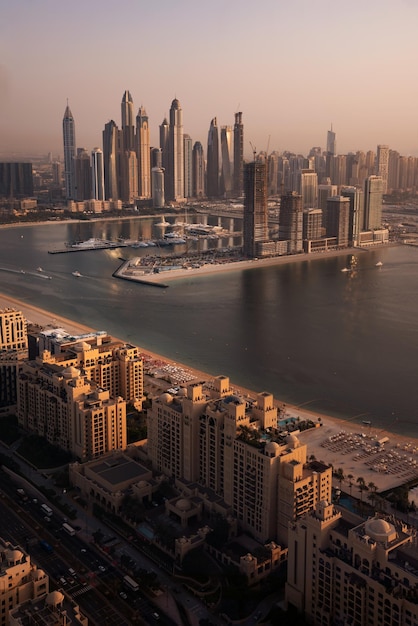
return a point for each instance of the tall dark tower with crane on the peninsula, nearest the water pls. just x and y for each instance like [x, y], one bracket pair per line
[255, 224]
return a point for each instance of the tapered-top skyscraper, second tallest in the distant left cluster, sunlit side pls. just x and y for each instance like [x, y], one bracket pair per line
[175, 165]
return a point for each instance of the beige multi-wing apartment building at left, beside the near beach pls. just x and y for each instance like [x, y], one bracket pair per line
[75, 392]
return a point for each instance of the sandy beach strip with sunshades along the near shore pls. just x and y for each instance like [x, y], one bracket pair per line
[378, 456]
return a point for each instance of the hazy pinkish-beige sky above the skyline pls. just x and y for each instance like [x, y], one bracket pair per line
[292, 67]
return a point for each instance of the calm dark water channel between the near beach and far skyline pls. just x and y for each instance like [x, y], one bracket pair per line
[345, 344]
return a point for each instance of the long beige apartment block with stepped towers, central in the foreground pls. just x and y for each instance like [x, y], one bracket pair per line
[231, 446]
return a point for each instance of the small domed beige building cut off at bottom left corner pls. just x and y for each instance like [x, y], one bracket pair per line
[20, 579]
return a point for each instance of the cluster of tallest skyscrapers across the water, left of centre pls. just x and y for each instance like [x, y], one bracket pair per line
[128, 168]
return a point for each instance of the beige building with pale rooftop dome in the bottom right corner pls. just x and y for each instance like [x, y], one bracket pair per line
[344, 570]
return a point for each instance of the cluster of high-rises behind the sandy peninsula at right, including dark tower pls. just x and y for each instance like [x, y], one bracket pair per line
[320, 209]
